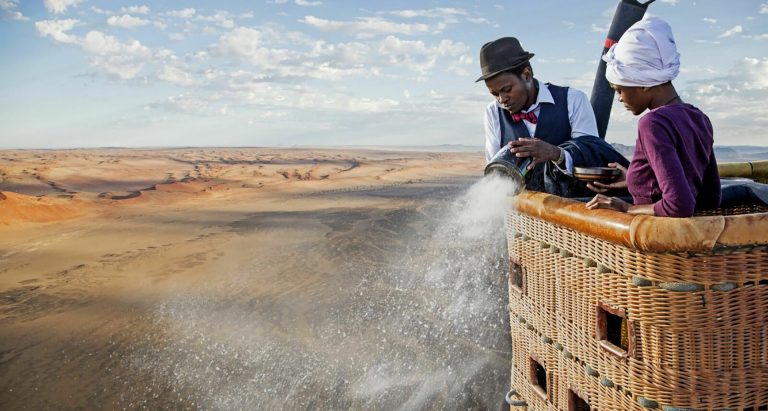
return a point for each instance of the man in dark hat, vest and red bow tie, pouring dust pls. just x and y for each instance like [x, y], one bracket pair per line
[560, 119]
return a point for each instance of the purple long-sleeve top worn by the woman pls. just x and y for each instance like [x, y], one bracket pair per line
[674, 165]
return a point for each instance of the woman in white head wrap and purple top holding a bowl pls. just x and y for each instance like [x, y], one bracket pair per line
[673, 170]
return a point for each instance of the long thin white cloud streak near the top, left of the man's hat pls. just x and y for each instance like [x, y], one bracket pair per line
[366, 26]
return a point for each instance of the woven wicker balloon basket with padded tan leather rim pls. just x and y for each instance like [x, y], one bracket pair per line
[637, 312]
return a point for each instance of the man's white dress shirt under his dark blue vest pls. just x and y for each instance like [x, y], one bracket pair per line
[580, 115]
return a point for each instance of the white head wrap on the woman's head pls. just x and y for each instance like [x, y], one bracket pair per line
[645, 56]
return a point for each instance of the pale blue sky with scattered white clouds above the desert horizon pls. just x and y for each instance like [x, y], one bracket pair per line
[89, 73]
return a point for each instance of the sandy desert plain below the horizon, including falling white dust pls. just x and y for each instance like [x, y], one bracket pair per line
[248, 278]
